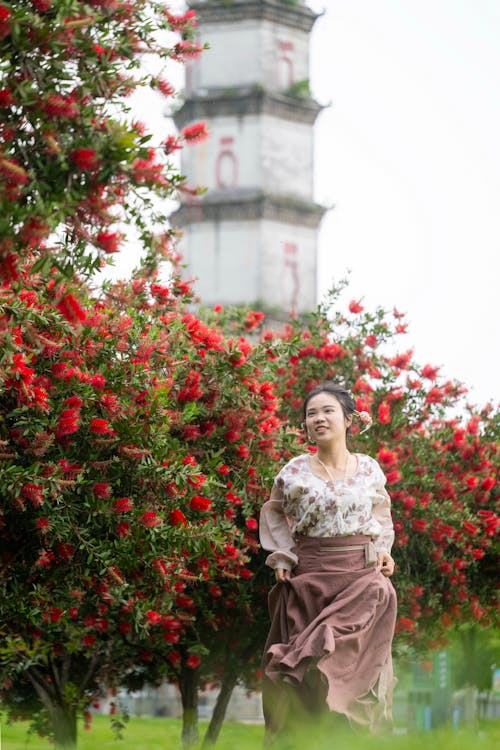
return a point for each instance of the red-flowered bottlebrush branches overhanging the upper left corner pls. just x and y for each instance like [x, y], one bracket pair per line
[73, 169]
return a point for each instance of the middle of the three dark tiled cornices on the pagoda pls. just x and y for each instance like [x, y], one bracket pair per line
[246, 101]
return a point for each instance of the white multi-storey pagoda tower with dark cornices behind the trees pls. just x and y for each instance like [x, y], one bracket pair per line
[251, 238]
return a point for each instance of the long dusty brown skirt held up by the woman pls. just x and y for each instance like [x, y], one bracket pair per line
[332, 624]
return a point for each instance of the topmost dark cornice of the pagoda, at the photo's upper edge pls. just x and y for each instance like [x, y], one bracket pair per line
[233, 11]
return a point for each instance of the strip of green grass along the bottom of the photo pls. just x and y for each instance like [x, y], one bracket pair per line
[164, 734]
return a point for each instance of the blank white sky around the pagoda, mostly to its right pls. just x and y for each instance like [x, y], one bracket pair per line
[408, 154]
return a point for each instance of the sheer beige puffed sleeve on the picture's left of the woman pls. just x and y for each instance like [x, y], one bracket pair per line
[274, 531]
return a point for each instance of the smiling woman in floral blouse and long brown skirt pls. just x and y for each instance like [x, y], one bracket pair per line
[328, 527]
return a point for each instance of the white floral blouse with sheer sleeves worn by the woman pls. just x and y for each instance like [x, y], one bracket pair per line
[302, 502]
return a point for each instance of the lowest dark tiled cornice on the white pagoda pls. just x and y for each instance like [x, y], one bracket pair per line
[248, 205]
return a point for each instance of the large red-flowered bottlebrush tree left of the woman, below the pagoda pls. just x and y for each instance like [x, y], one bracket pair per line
[126, 444]
